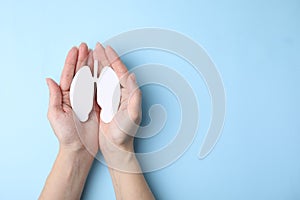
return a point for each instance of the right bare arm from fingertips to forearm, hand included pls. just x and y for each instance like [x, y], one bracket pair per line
[116, 144]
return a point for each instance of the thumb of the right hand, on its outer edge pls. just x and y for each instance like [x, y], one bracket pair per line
[135, 98]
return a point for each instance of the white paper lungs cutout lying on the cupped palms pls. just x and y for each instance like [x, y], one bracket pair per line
[82, 93]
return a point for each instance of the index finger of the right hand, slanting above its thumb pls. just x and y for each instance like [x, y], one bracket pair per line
[117, 65]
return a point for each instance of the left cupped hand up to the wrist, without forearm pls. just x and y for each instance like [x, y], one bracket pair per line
[71, 133]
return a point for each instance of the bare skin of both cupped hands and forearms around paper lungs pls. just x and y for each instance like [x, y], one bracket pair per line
[78, 146]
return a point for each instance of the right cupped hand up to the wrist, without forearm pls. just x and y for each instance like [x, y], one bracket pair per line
[118, 135]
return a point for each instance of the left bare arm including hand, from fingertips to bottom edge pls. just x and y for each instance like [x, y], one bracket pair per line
[69, 172]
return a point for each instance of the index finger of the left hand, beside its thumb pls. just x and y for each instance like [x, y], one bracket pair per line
[69, 69]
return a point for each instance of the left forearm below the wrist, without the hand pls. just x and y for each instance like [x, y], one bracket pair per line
[67, 177]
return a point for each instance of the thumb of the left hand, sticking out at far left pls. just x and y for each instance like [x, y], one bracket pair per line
[55, 100]
